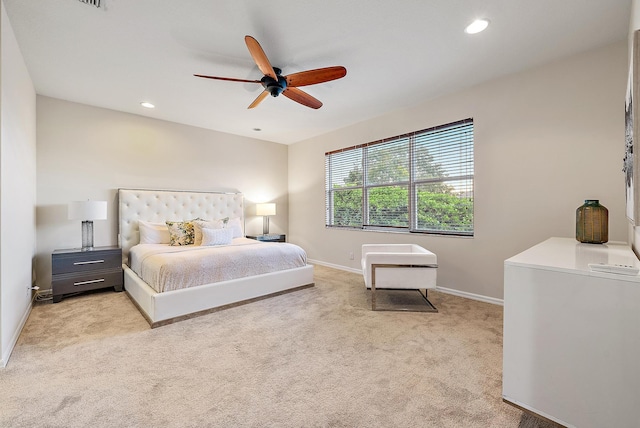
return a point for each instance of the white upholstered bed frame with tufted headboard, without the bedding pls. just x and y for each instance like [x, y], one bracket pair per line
[171, 306]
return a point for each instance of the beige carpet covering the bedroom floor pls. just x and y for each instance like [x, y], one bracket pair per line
[318, 357]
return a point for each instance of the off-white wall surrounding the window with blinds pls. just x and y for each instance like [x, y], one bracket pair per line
[545, 140]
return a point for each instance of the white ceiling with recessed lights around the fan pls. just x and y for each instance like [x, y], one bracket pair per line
[397, 53]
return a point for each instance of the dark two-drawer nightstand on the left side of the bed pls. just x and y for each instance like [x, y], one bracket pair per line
[77, 270]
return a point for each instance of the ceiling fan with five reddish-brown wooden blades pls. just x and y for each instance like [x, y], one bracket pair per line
[275, 83]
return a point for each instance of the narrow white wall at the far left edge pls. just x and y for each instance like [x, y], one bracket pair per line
[17, 188]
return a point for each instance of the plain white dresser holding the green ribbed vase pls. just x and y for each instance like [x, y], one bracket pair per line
[572, 336]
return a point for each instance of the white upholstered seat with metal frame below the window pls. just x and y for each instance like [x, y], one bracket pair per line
[399, 267]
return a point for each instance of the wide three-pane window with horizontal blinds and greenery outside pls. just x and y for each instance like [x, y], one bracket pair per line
[417, 182]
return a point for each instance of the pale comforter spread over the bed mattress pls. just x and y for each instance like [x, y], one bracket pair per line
[167, 268]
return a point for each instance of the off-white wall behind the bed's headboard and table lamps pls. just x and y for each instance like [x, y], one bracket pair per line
[86, 152]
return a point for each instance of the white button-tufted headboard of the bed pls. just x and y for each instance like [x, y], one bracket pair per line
[159, 206]
